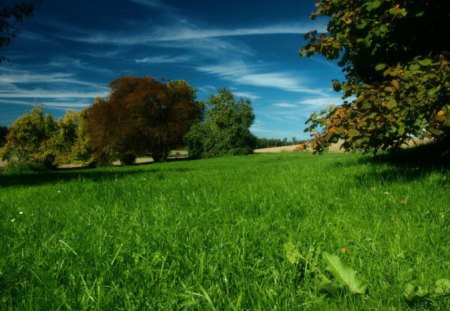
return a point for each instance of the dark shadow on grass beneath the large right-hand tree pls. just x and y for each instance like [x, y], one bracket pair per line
[407, 164]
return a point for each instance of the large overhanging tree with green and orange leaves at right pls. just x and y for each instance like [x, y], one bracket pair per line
[397, 72]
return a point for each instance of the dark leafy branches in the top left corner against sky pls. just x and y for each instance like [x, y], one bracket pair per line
[10, 16]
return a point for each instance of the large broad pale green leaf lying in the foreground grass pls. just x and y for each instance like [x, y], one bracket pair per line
[344, 274]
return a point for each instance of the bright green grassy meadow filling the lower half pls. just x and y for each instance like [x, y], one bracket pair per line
[213, 234]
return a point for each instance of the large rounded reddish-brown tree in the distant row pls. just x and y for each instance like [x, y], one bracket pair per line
[142, 115]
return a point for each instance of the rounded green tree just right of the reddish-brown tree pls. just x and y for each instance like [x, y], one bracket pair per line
[225, 129]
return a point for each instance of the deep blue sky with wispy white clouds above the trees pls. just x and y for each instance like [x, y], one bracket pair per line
[69, 51]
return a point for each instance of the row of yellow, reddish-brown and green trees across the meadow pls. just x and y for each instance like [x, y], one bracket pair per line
[141, 116]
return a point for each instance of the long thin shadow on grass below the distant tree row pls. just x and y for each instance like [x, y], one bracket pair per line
[69, 174]
